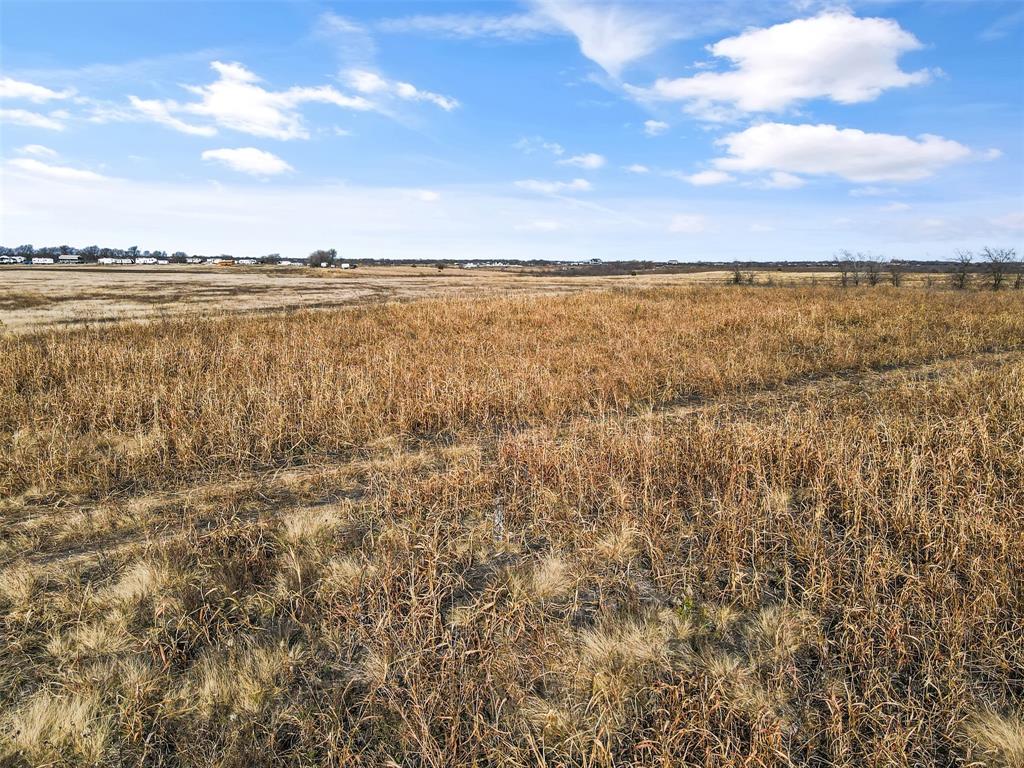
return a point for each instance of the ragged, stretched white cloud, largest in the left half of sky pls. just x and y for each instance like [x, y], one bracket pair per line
[237, 101]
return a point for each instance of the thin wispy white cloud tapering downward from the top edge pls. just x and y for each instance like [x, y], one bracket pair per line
[611, 35]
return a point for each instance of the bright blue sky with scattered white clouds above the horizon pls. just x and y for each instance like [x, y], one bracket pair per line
[551, 130]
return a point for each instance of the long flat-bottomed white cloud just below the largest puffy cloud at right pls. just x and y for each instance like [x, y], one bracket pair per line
[848, 153]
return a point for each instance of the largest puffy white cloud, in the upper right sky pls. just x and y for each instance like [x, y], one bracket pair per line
[835, 56]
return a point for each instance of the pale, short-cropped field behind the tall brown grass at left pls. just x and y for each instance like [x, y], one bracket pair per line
[37, 297]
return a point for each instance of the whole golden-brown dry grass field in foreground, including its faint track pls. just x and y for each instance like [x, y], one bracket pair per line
[637, 527]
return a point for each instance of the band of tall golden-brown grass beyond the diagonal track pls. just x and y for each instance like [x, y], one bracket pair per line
[116, 409]
